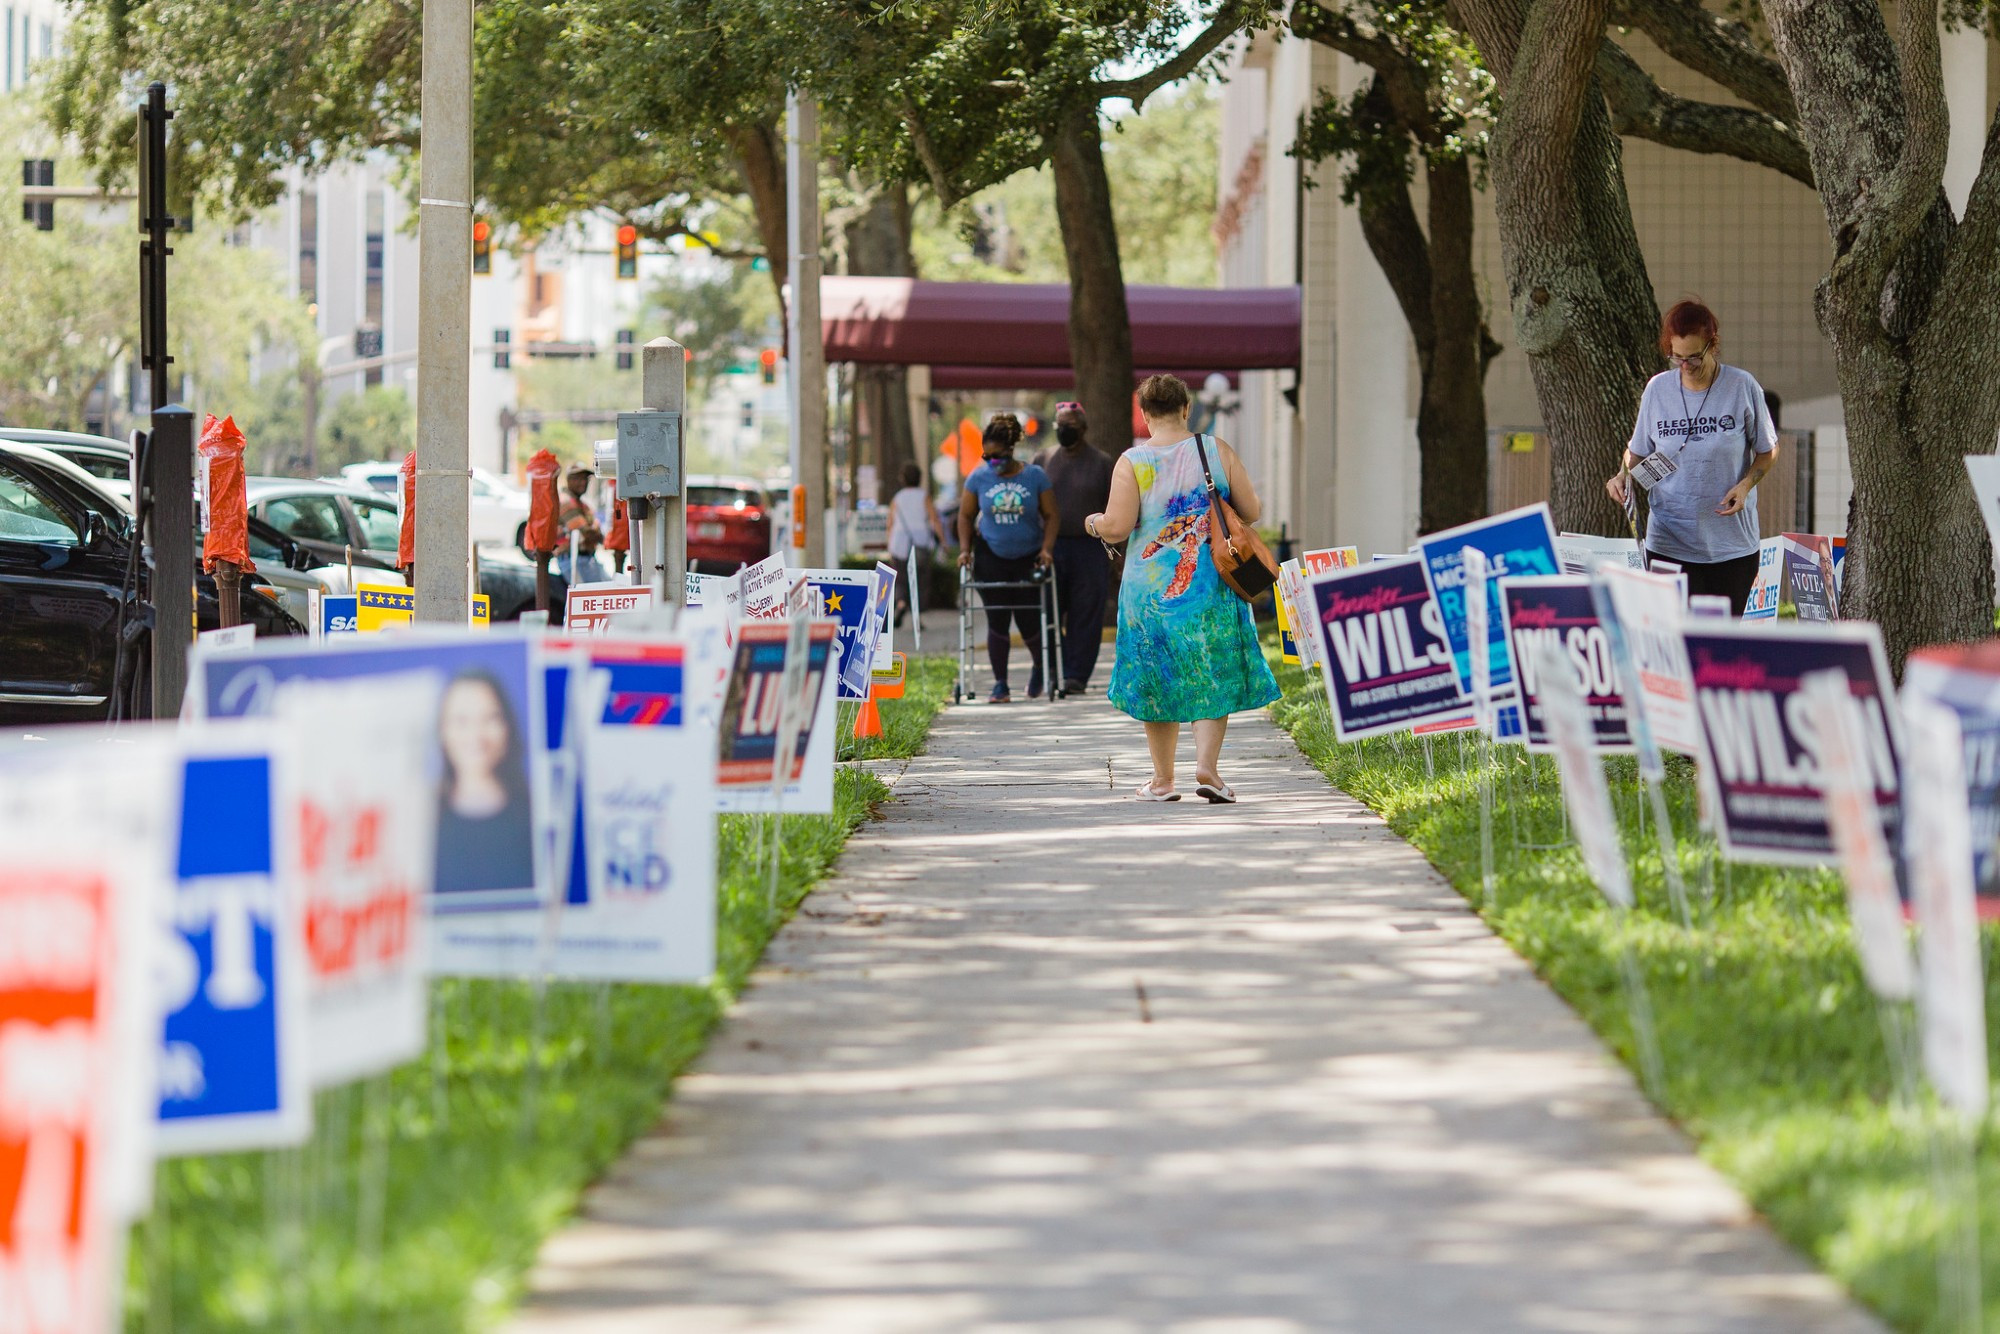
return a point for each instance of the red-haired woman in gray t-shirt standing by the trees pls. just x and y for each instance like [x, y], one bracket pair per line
[1699, 449]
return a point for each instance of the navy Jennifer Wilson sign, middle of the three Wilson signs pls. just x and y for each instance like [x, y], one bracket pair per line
[1561, 613]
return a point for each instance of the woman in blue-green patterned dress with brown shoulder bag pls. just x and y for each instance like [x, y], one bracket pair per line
[1187, 645]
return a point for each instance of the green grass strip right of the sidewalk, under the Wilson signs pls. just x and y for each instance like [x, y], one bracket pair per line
[1773, 1047]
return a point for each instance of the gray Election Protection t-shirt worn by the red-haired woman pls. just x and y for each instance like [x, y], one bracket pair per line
[1709, 435]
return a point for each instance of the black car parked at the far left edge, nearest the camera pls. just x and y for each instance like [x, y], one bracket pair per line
[65, 547]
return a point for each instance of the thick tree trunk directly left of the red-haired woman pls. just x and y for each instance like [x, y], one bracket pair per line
[1577, 281]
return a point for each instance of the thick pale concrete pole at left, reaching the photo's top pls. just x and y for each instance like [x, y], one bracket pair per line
[445, 319]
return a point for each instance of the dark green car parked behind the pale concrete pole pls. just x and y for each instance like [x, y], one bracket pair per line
[337, 523]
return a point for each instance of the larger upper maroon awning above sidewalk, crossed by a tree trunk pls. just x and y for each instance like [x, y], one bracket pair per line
[917, 323]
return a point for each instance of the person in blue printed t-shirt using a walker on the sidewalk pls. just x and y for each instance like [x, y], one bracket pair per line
[1007, 527]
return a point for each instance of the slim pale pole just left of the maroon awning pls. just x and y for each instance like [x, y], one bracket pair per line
[807, 369]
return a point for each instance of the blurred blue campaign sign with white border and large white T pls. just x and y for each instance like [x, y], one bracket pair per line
[233, 967]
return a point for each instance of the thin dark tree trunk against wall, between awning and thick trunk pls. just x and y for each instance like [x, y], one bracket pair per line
[1451, 415]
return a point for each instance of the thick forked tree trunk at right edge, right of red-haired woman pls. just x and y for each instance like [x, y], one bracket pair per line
[1911, 309]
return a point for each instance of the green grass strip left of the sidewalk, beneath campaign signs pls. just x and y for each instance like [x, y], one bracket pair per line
[425, 1195]
